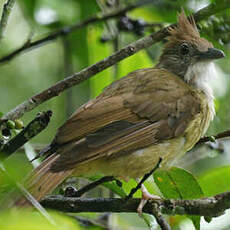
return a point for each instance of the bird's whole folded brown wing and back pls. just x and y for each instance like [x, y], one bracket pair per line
[144, 108]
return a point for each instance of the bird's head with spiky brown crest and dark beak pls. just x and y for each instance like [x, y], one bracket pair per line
[187, 54]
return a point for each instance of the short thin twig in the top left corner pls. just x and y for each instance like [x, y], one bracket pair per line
[7, 8]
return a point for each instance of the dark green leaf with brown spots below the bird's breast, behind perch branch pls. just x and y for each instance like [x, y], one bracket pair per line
[178, 183]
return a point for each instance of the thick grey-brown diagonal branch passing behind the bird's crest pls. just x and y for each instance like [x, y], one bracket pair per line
[90, 71]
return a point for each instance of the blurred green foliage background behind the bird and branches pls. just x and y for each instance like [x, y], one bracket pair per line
[36, 69]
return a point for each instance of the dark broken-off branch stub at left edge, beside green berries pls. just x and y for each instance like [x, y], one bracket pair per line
[38, 124]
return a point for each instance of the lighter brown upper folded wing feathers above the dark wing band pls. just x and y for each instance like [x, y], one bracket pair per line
[89, 119]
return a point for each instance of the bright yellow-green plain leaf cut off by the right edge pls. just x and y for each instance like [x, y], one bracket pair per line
[215, 181]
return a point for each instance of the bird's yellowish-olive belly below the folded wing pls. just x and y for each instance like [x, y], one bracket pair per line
[136, 164]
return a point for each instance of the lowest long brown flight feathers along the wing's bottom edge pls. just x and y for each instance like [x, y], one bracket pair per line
[140, 138]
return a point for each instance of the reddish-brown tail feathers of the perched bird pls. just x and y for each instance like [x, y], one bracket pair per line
[42, 181]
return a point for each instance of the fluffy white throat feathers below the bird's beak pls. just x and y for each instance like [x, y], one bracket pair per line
[199, 76]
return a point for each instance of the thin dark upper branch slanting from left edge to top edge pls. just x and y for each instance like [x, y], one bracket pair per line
[69, 29]
